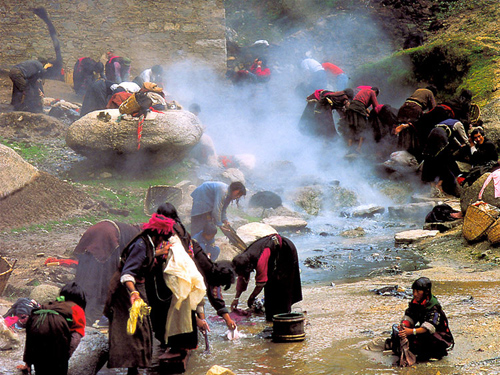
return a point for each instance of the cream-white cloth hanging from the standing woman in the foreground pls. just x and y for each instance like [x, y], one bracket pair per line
[187, 286]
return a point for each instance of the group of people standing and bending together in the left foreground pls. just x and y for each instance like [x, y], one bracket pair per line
[158, 271]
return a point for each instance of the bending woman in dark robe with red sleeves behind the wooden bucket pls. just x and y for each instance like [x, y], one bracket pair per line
[275, 260]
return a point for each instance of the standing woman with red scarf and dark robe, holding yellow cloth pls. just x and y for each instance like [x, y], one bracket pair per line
[128, 285]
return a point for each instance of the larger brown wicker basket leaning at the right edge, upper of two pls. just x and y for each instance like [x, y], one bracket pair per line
[478, 219]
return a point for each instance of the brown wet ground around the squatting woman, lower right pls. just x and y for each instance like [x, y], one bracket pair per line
[342, 319]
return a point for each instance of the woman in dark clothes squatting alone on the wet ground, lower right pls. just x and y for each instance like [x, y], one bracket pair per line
[424, 331]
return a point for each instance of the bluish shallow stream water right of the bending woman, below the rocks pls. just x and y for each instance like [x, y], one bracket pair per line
[341, 259]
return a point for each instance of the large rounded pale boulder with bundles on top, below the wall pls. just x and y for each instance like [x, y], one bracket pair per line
[169, 135]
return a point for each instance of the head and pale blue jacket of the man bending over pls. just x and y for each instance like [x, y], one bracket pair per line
[210, 202]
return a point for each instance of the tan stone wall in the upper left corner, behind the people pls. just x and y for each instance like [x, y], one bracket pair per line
[149, 32]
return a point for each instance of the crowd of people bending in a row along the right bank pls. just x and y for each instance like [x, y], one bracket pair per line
[438, 136]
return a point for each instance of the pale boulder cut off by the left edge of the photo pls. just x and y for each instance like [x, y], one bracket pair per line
[16, 172]
